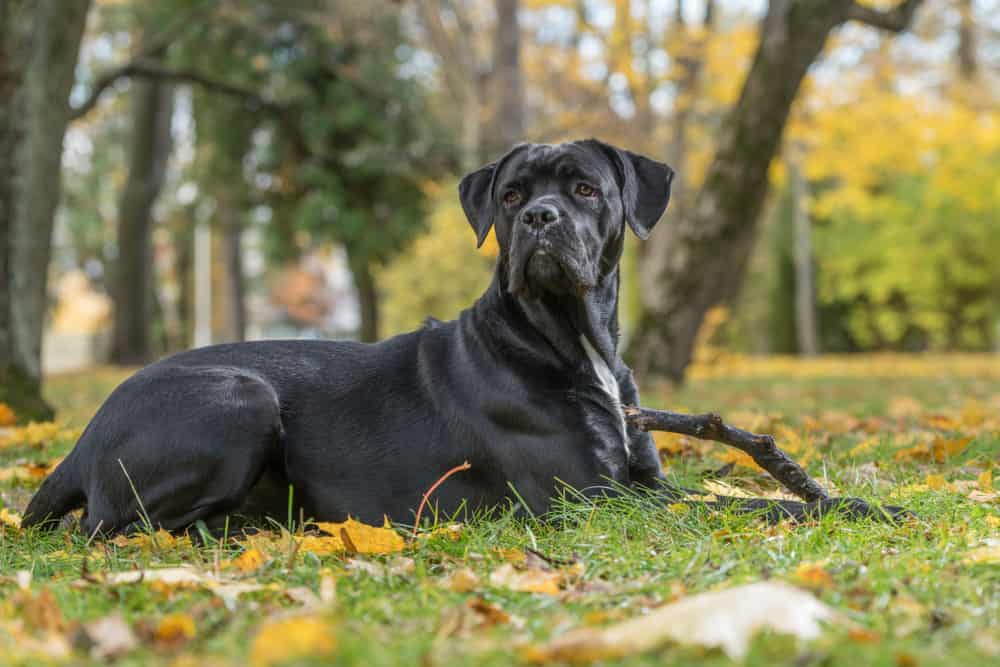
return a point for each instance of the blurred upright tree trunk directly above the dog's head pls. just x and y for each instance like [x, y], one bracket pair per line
[509, 86]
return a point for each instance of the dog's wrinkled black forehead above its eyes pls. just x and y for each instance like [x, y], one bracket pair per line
[558, 162]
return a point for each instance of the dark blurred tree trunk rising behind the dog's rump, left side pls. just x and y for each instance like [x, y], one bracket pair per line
[152, 108]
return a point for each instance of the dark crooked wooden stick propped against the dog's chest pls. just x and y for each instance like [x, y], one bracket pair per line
[709, 426]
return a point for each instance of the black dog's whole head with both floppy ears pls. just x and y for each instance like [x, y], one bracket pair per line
[560, 211]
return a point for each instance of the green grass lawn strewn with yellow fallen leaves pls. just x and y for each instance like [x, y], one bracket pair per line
[916, 431]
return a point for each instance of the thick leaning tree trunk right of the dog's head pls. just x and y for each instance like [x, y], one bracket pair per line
[704, 254]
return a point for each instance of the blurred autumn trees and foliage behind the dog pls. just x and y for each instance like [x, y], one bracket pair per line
[184, 172]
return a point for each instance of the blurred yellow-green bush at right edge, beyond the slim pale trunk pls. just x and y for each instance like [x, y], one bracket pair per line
[907, 248]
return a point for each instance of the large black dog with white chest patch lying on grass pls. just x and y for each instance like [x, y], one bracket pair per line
[527, 385]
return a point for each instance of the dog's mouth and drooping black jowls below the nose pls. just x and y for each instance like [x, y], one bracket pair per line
[540, 268]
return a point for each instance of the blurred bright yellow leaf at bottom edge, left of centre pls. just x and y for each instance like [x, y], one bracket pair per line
[287, 639]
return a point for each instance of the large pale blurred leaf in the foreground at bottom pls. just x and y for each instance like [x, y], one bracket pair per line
[725, 619]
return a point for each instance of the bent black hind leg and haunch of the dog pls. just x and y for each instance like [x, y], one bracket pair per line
[183, 444]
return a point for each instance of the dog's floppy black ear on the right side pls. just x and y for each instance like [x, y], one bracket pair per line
[645, 187]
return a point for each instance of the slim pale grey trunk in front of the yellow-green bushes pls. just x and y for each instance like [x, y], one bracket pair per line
[805, 293]
